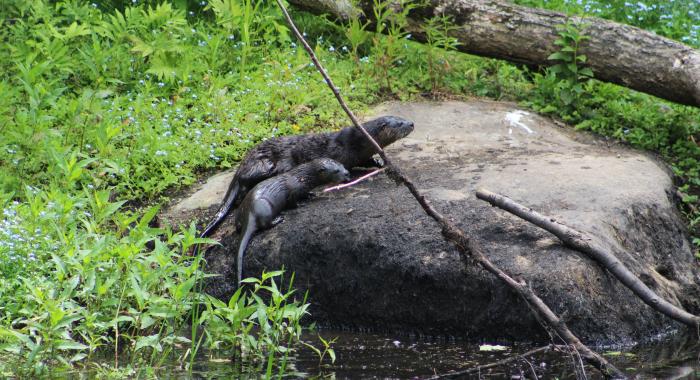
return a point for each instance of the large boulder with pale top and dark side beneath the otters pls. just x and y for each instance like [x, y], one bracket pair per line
[371, 258]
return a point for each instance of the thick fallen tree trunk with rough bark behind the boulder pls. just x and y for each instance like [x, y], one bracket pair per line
[616, 53]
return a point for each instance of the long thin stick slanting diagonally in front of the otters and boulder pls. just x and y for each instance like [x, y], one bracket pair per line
[469, 249]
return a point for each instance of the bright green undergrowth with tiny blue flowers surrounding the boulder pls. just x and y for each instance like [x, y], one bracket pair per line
[106, 107]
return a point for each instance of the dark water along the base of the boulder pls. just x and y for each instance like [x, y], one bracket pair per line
[382, 356]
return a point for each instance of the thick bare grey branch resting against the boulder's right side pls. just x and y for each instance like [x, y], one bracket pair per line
[582, 243]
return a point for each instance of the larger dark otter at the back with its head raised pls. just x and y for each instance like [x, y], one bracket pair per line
[278, 155]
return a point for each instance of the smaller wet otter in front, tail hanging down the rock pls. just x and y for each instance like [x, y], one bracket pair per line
[262, 205]
